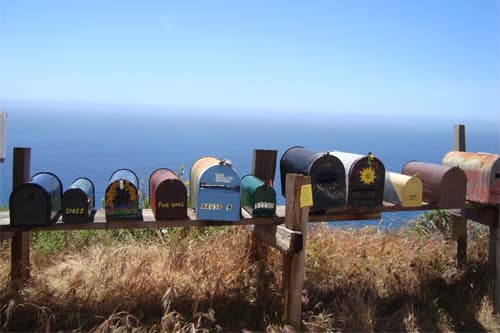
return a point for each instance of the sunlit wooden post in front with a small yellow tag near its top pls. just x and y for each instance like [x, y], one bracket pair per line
[296, 218]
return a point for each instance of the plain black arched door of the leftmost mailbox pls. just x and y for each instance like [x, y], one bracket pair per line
[29, 205]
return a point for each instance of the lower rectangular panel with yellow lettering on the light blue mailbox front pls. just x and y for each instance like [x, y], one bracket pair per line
[218, 204]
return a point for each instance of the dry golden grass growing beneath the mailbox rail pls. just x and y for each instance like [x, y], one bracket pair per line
[360, 280]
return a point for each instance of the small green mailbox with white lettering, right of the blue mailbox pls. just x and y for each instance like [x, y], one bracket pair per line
[257, 198]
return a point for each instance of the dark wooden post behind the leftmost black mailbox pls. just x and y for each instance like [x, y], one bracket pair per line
[20, 255]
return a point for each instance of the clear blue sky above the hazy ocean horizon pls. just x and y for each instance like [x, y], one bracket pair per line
[433, 58]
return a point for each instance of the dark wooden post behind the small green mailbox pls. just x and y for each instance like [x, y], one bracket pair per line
[264, 168]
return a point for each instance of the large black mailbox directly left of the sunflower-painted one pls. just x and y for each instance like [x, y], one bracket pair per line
[327, 176]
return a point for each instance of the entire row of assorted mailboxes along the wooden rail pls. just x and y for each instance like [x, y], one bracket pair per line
[217, 193]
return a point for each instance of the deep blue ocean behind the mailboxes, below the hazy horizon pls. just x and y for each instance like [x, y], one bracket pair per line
[93, 141]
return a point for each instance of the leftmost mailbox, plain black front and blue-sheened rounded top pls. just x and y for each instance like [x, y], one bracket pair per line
[36, 203]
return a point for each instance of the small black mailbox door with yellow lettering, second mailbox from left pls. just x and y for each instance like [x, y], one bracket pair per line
[76, 206]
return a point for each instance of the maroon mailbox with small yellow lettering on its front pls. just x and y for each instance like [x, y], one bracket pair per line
[167, 195]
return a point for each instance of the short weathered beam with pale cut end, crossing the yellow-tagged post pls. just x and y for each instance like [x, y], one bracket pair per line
[280, 237]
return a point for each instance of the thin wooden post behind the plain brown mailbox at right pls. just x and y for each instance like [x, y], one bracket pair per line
[459, 223]
